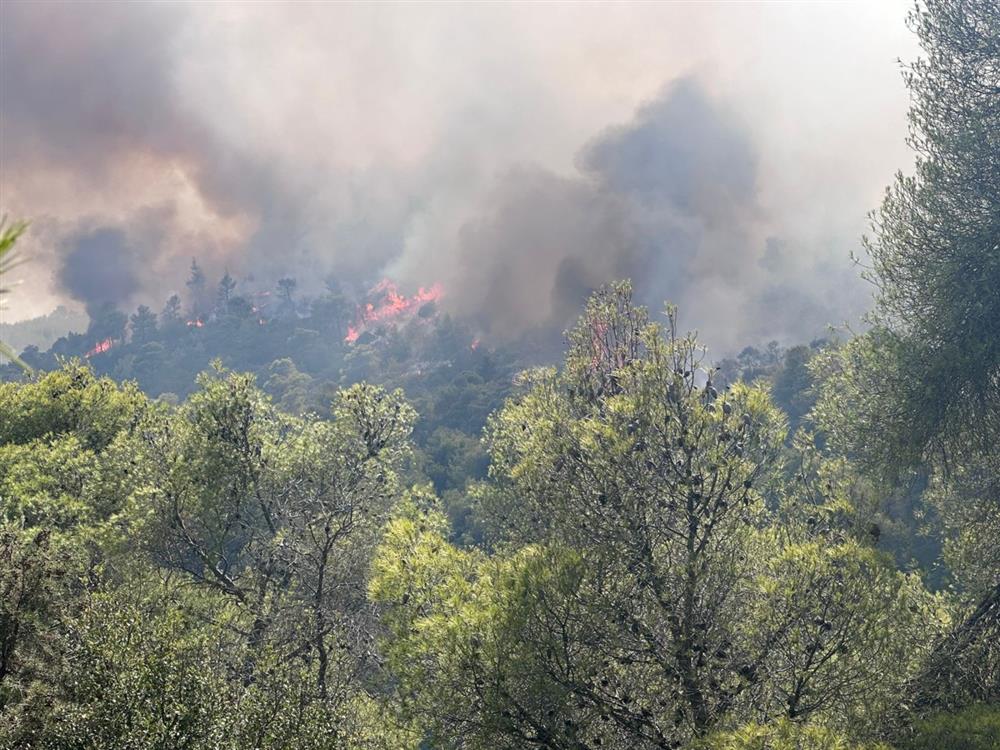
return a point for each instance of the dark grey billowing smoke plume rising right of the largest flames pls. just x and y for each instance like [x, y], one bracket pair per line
[668, 200]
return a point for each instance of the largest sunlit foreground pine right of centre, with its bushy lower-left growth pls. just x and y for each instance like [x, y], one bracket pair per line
[643, 588]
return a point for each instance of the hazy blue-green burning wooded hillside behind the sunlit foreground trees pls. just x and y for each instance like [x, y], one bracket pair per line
[300, 355]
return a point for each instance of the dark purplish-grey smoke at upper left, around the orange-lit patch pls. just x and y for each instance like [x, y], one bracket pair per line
[89, 89]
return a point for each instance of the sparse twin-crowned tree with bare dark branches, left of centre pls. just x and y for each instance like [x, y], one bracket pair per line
[278, 516]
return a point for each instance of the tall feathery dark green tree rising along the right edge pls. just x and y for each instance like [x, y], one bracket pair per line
[929, 368]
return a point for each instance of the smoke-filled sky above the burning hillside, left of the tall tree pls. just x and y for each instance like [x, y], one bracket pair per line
[721, 156]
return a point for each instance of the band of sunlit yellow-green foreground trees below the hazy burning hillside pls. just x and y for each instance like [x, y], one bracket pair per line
[661, 567]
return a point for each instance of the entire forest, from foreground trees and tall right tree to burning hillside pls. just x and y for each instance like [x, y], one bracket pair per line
[257, 519]
